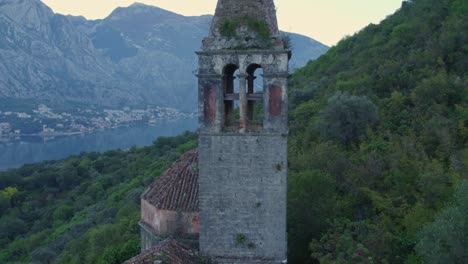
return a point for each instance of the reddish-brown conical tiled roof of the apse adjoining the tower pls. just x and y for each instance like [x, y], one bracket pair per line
[177, 188]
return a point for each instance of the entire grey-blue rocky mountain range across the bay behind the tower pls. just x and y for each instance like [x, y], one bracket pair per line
[138, 55]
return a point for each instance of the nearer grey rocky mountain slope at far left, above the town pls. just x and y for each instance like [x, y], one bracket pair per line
[43, 57]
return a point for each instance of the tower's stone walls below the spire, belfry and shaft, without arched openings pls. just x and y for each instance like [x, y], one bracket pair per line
[242, 176]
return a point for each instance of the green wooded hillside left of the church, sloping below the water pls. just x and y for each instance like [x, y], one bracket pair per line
[84, 209]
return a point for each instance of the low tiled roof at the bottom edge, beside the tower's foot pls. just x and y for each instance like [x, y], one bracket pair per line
[167, 251]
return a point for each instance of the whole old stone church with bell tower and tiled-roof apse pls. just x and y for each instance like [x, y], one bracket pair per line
[226, 201]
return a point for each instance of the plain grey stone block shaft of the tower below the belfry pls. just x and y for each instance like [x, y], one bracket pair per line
[243, 185]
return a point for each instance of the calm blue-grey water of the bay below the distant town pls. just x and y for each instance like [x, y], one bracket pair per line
[31, 149]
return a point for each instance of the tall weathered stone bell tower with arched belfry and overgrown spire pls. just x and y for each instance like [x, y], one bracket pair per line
[243, 135]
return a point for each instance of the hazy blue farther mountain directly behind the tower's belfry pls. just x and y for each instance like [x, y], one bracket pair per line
[156, 47]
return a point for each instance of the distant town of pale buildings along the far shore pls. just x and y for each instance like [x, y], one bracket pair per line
[44, 121]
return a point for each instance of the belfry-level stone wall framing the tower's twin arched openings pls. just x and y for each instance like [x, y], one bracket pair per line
[211, 103]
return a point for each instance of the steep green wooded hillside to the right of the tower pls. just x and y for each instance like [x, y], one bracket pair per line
[378, 144]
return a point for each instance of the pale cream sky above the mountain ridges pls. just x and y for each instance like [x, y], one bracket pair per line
[324, 20]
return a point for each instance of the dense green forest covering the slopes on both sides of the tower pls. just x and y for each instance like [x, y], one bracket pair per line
[378, 160]
